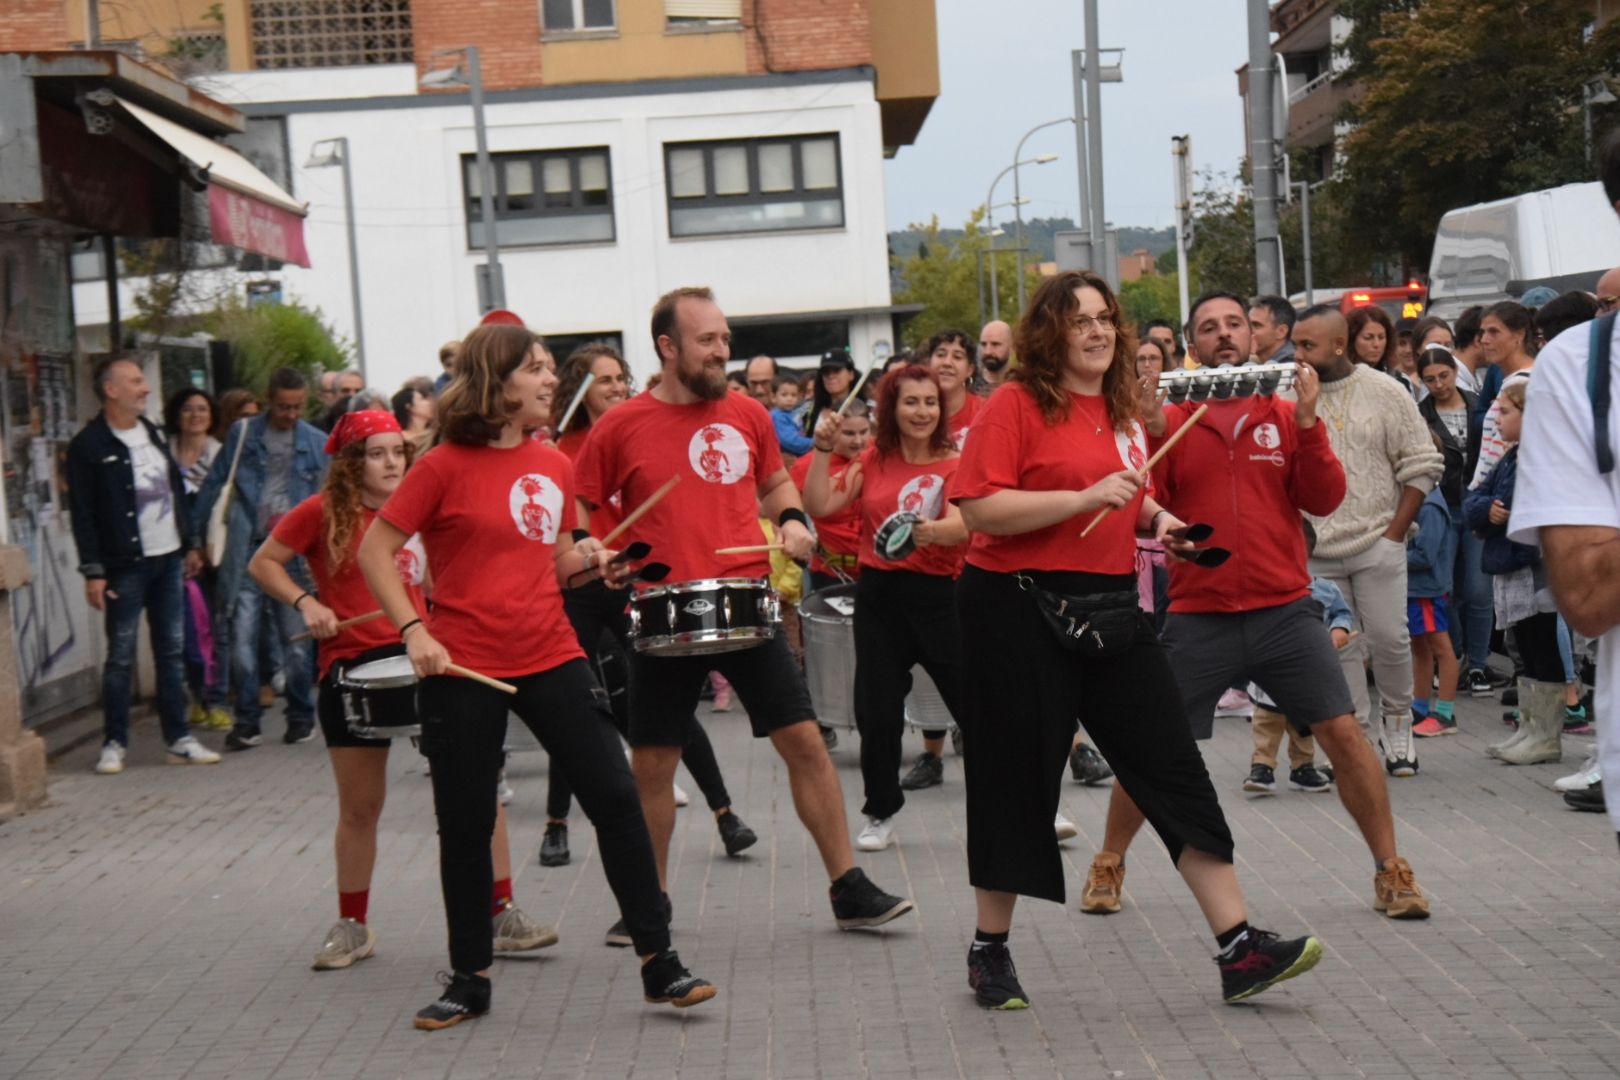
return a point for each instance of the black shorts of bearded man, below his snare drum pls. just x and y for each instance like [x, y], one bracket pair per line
[665, 691]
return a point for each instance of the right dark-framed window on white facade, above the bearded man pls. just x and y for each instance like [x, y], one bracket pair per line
[754, 185]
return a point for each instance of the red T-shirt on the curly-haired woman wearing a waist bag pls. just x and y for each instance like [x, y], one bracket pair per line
[1015, 449]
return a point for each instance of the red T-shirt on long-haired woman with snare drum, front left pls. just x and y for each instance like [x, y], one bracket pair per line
[490, 521]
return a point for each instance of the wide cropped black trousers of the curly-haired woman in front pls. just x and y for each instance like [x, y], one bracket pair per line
[1020, 700]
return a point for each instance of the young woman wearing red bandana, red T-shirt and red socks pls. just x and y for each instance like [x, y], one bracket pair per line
[370, 456]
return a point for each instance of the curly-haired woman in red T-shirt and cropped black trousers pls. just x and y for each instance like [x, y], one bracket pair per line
[1049, 451]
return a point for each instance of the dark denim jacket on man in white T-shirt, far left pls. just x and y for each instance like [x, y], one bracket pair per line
[101, 498]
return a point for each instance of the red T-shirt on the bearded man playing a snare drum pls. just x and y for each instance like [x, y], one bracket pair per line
[720, 451]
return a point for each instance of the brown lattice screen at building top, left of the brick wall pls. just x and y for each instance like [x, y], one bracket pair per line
[330, 33]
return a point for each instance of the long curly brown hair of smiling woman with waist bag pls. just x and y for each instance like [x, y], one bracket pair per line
[1042, 346]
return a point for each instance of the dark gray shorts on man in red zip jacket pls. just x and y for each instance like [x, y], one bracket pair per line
[1284, 650]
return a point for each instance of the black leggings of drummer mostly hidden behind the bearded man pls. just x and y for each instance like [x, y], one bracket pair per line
[602, 626]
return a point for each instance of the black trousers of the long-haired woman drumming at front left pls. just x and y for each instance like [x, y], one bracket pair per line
[463, 733]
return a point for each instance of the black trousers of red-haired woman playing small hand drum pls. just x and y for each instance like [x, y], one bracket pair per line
[902, 619]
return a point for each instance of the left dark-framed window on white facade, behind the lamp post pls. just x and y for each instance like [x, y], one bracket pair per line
[544, 198]
